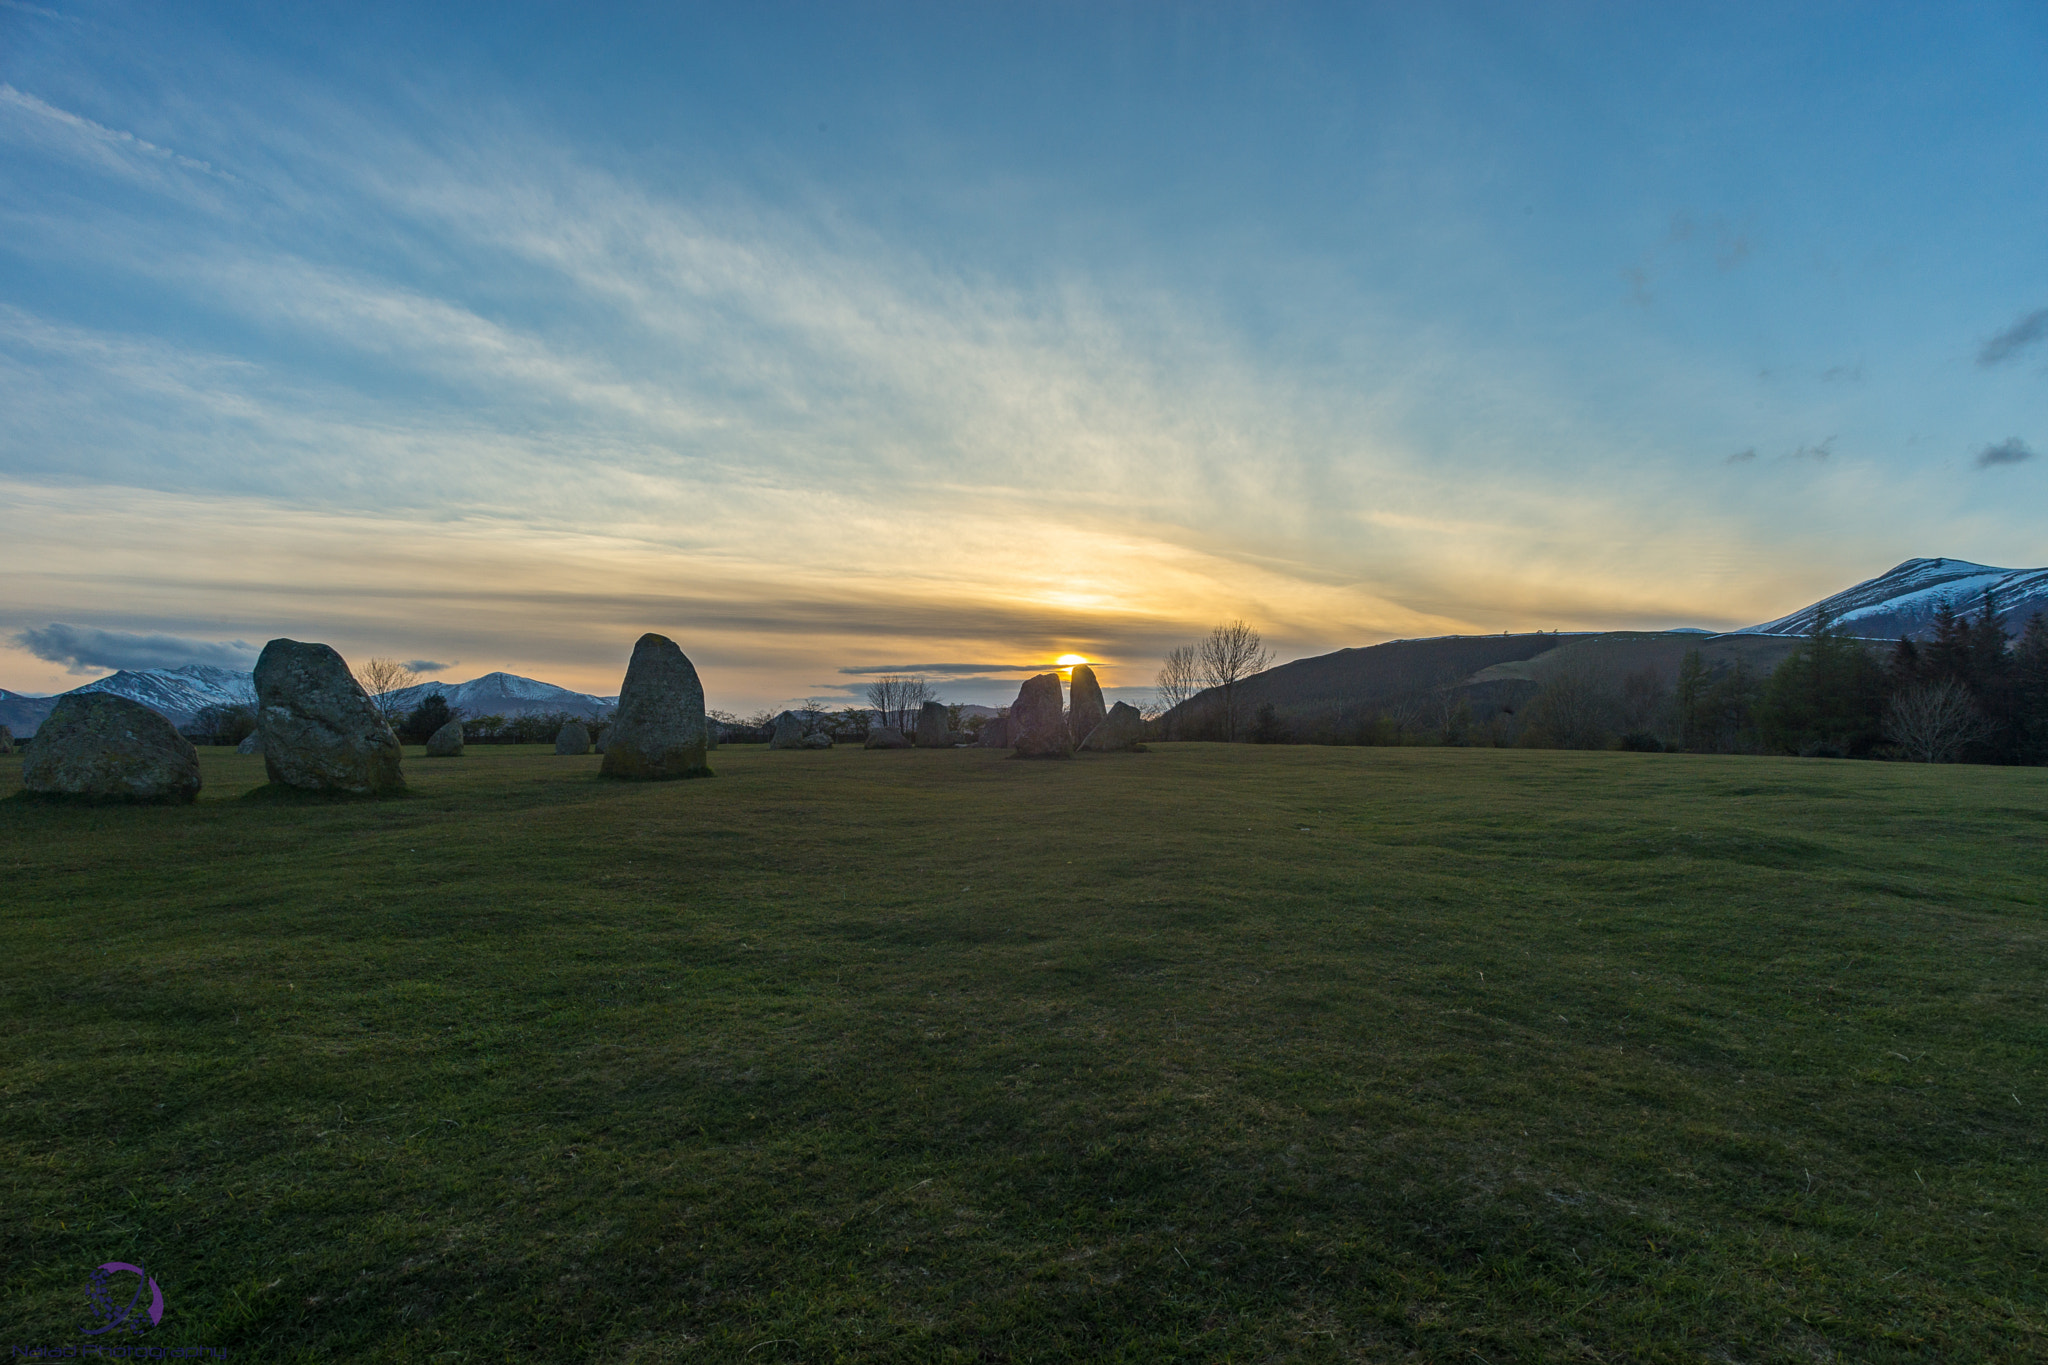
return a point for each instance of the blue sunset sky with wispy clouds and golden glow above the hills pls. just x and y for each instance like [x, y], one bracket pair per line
[949, 339]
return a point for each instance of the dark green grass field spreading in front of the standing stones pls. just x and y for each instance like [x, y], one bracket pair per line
[1199, 1055]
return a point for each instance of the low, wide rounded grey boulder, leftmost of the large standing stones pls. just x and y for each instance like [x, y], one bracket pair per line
[97, 744]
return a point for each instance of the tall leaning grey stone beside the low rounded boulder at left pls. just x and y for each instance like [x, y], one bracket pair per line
[321, 732]
